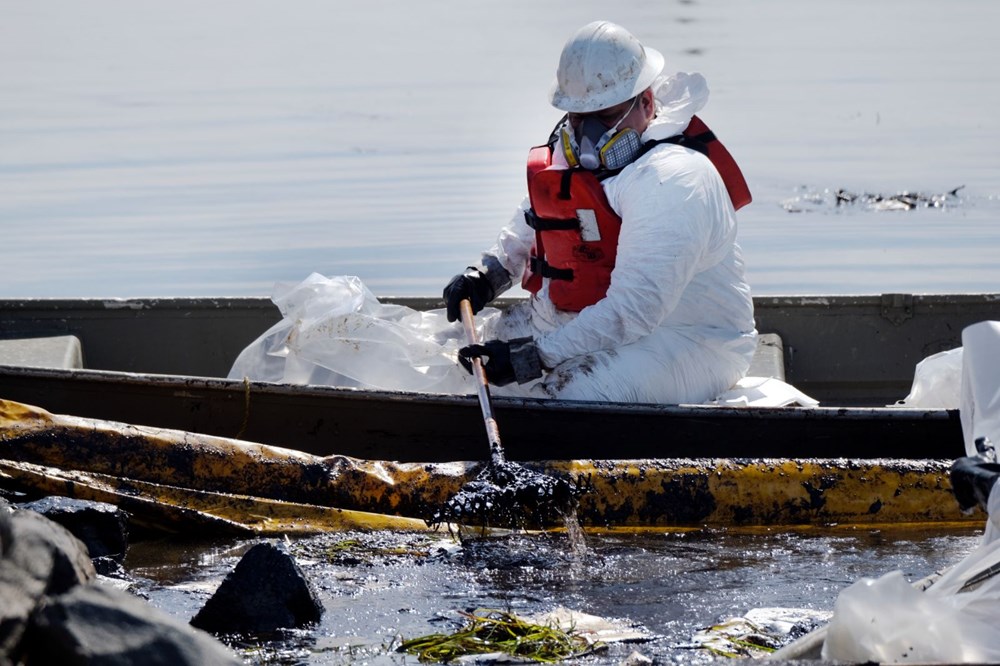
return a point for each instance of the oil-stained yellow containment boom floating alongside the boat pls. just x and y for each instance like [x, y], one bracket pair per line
[178, 479]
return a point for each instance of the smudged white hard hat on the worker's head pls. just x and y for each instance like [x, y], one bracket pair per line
[603, 64]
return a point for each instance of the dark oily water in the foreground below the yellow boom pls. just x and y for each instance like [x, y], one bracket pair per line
[389, 587]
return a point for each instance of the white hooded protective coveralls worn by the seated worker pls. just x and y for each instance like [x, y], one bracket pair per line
[676, 325]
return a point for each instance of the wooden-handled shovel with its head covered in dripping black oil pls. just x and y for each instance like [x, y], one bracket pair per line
[503, 494]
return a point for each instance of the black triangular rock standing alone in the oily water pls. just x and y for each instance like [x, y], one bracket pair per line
[265, 592]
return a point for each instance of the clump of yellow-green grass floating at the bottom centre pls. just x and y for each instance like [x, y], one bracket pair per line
[502, 633]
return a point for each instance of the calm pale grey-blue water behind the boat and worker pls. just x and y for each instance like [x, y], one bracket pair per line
[175, 148]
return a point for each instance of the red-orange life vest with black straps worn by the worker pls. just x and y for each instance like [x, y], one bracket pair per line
[576, 230]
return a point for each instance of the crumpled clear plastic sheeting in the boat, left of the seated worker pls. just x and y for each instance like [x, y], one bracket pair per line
[335, 332]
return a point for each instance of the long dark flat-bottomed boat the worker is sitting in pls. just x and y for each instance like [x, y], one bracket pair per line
[163, 362]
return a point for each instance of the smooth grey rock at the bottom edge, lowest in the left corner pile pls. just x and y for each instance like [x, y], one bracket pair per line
[93, 624]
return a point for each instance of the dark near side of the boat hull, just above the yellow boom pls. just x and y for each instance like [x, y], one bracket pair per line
[422, 428]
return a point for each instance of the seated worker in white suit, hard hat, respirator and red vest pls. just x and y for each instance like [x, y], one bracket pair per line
[627, 241]
